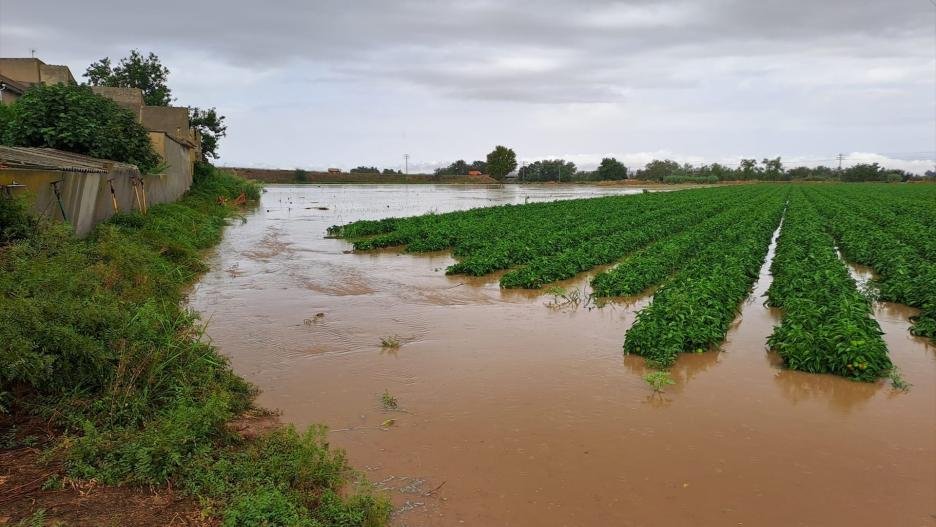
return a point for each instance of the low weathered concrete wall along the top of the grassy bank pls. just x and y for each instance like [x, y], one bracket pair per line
[86, 197]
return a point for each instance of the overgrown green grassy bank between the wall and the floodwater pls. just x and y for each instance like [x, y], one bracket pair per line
[95, 341]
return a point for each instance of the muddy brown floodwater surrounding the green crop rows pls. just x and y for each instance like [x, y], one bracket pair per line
[515, 412]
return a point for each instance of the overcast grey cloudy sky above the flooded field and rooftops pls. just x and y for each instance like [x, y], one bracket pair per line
[323, 83]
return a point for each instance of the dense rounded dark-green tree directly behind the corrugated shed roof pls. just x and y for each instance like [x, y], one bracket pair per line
[73, 118]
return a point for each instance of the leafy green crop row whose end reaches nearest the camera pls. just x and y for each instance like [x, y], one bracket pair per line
[827, 324]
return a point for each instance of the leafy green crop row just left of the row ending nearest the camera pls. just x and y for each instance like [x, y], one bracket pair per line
[693, 311]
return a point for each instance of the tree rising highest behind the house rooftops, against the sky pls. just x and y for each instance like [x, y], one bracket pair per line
[146, 73]
